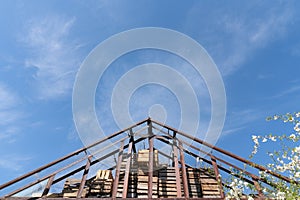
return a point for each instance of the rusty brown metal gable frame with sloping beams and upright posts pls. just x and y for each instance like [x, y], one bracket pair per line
[176, 144]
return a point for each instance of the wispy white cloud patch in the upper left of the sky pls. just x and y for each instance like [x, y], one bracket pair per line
[53, 54]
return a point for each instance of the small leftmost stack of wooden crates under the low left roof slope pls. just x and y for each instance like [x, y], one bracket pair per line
[71, 188]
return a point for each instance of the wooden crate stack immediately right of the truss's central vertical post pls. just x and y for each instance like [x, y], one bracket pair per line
[167, 183]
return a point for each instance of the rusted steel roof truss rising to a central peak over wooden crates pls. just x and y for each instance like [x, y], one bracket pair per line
[155, 131]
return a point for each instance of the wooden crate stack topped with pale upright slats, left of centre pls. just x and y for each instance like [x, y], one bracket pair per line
[101, 186]
